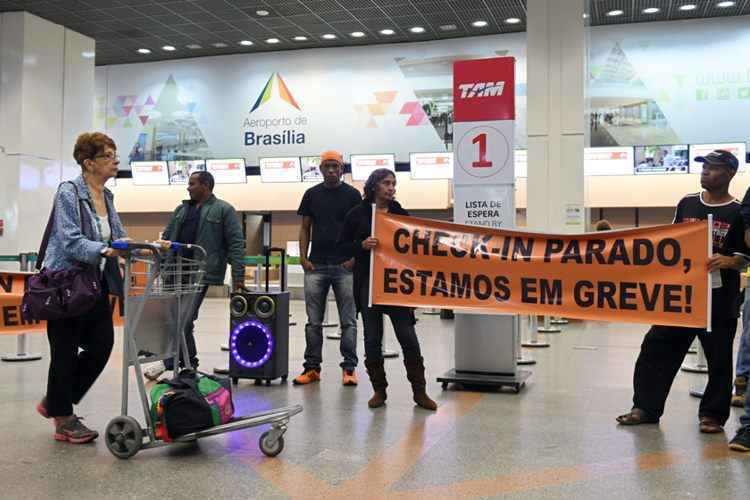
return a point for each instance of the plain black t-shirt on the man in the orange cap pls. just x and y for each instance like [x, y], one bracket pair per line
[328, 208]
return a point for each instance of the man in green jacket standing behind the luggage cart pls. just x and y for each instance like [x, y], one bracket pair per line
[211, 223]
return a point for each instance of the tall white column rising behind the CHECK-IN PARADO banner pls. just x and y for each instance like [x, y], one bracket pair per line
[555, 75]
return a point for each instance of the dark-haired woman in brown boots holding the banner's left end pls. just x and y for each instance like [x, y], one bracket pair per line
[380, 190]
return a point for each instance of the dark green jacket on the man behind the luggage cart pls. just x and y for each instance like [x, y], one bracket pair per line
[220, 235]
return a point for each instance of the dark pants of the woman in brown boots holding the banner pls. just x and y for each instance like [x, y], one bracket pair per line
[402, 319]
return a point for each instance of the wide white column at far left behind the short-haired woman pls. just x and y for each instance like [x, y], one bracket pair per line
[46, 99]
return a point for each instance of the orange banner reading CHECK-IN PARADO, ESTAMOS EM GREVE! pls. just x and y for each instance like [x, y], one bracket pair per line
[653, 275]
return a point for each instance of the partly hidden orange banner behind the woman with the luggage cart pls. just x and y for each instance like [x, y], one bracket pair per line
[12, 286]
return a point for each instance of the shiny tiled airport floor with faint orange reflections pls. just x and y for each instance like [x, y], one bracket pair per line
[557, 439]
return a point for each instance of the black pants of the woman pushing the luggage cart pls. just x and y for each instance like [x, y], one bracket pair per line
[79, 351]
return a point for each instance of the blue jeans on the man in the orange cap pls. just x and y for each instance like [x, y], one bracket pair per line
[317, 284]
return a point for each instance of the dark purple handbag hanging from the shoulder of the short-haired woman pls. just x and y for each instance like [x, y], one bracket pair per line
[67, 293]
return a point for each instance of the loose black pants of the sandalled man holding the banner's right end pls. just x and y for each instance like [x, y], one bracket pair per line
[662, 352]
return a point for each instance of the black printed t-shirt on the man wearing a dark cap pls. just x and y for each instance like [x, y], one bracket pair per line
[728, 239]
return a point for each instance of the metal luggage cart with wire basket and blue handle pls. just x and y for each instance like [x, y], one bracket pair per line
[160, 291]
